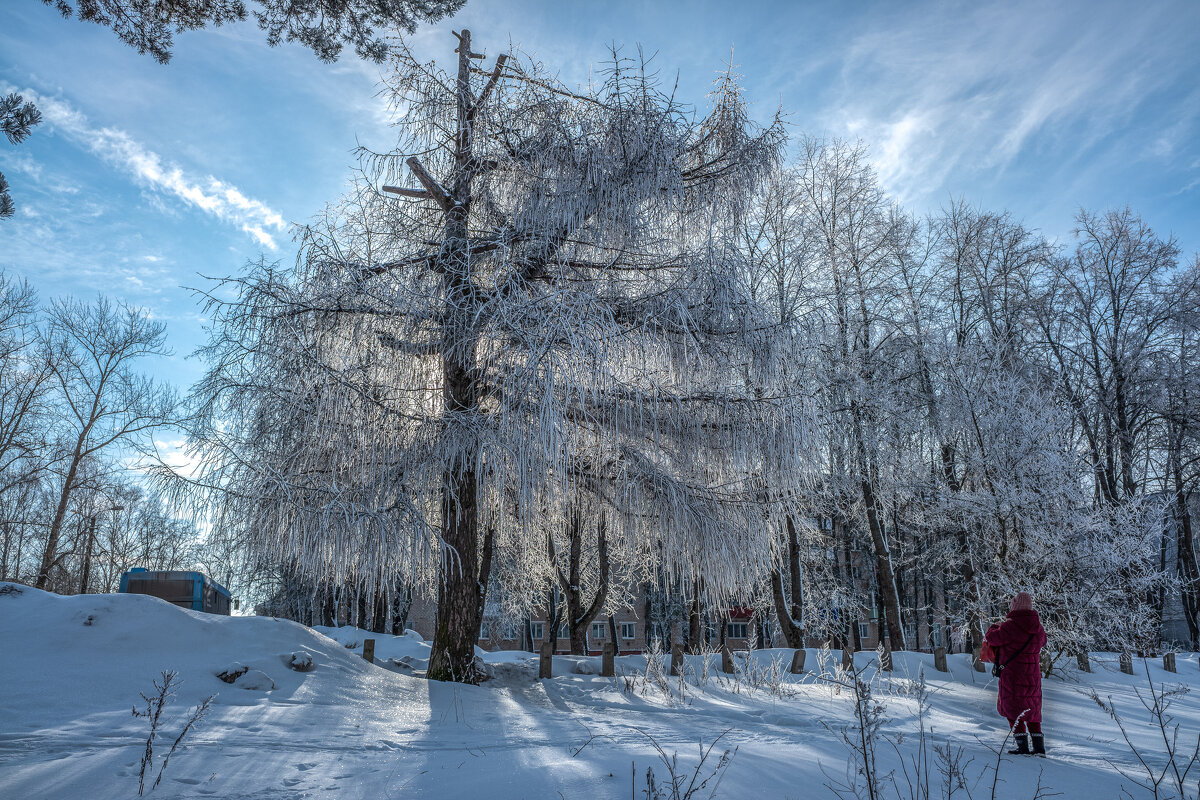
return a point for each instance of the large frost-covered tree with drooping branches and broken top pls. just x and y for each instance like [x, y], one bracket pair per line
[554, 309]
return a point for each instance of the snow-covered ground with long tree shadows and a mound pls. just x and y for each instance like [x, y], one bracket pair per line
[73, 669]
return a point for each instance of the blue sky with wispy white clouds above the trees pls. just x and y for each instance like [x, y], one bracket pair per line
[146, 177]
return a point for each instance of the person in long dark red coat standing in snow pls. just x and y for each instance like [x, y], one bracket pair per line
[1018, 645]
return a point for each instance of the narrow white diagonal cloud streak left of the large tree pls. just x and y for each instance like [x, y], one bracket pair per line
[152, 171]
